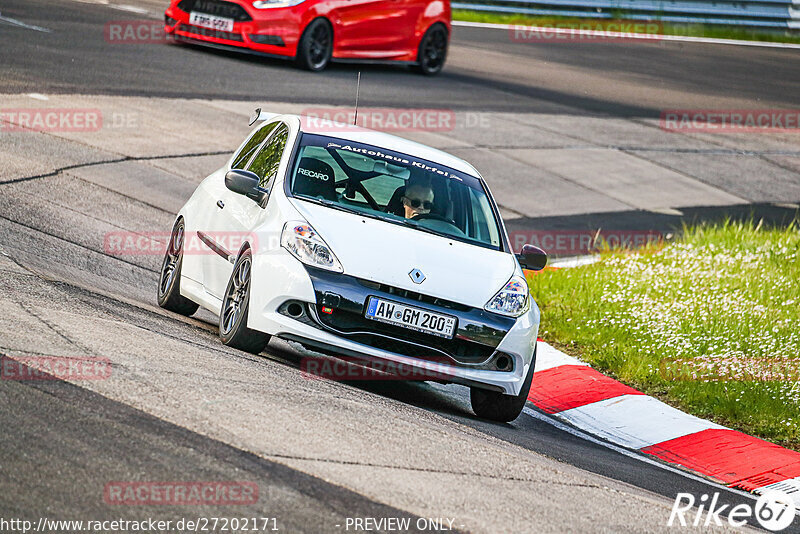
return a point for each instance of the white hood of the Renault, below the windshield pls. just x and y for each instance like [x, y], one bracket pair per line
[386, 253]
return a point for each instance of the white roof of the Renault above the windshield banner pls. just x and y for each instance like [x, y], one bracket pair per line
[349, 132]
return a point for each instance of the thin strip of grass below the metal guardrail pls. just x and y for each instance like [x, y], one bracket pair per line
[692, 30]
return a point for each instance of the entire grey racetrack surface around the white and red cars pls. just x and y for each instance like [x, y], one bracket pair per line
[180, 406]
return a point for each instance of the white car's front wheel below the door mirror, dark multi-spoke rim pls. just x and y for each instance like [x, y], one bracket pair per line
[233, 329]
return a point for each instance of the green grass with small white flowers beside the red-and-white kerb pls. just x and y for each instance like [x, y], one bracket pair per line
[709, 323]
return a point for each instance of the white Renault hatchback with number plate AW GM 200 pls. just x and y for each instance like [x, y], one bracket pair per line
[363, 245]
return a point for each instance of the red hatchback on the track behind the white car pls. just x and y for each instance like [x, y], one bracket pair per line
[315, 32]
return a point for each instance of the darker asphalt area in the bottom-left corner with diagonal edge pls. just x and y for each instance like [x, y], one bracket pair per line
[95, 439]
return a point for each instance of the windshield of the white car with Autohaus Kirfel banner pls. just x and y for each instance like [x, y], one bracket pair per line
[394, 187]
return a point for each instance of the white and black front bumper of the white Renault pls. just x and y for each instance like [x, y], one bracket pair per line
[473, 357]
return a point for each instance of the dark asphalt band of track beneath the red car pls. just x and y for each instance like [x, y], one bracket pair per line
[486, 70]
